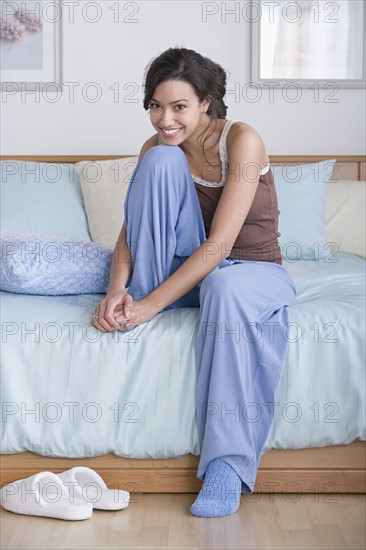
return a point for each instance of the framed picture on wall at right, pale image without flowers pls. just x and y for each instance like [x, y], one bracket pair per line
[307, 41]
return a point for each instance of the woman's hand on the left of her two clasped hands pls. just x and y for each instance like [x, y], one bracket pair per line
[114, 303]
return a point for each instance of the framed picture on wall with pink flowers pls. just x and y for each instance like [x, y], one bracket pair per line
[30, 40]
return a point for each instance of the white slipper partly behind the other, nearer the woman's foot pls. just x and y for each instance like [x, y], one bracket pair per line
[85, 483]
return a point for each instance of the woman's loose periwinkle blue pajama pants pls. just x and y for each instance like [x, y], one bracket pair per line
[241, 347]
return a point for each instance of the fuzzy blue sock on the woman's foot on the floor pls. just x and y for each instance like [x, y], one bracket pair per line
[220, 493]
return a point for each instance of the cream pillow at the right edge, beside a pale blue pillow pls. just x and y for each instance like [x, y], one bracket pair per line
[344, 213]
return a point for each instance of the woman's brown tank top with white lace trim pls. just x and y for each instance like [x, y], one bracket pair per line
[258, 237]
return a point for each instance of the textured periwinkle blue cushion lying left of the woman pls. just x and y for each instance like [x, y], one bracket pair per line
[52, 265]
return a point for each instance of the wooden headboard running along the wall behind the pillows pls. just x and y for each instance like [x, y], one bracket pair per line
[347, 167]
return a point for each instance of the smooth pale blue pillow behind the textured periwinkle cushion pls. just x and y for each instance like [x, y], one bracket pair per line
[43, 198]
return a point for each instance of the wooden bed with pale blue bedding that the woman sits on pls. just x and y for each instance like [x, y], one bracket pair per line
[70, 397]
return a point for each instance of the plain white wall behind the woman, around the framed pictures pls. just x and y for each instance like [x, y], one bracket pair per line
[109, 52]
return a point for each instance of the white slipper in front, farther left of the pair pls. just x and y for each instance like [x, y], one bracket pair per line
[43, 494]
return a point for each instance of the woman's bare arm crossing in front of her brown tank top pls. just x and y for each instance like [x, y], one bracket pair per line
[246, 154]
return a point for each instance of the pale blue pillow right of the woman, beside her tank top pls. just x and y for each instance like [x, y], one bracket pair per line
[301, 193]
